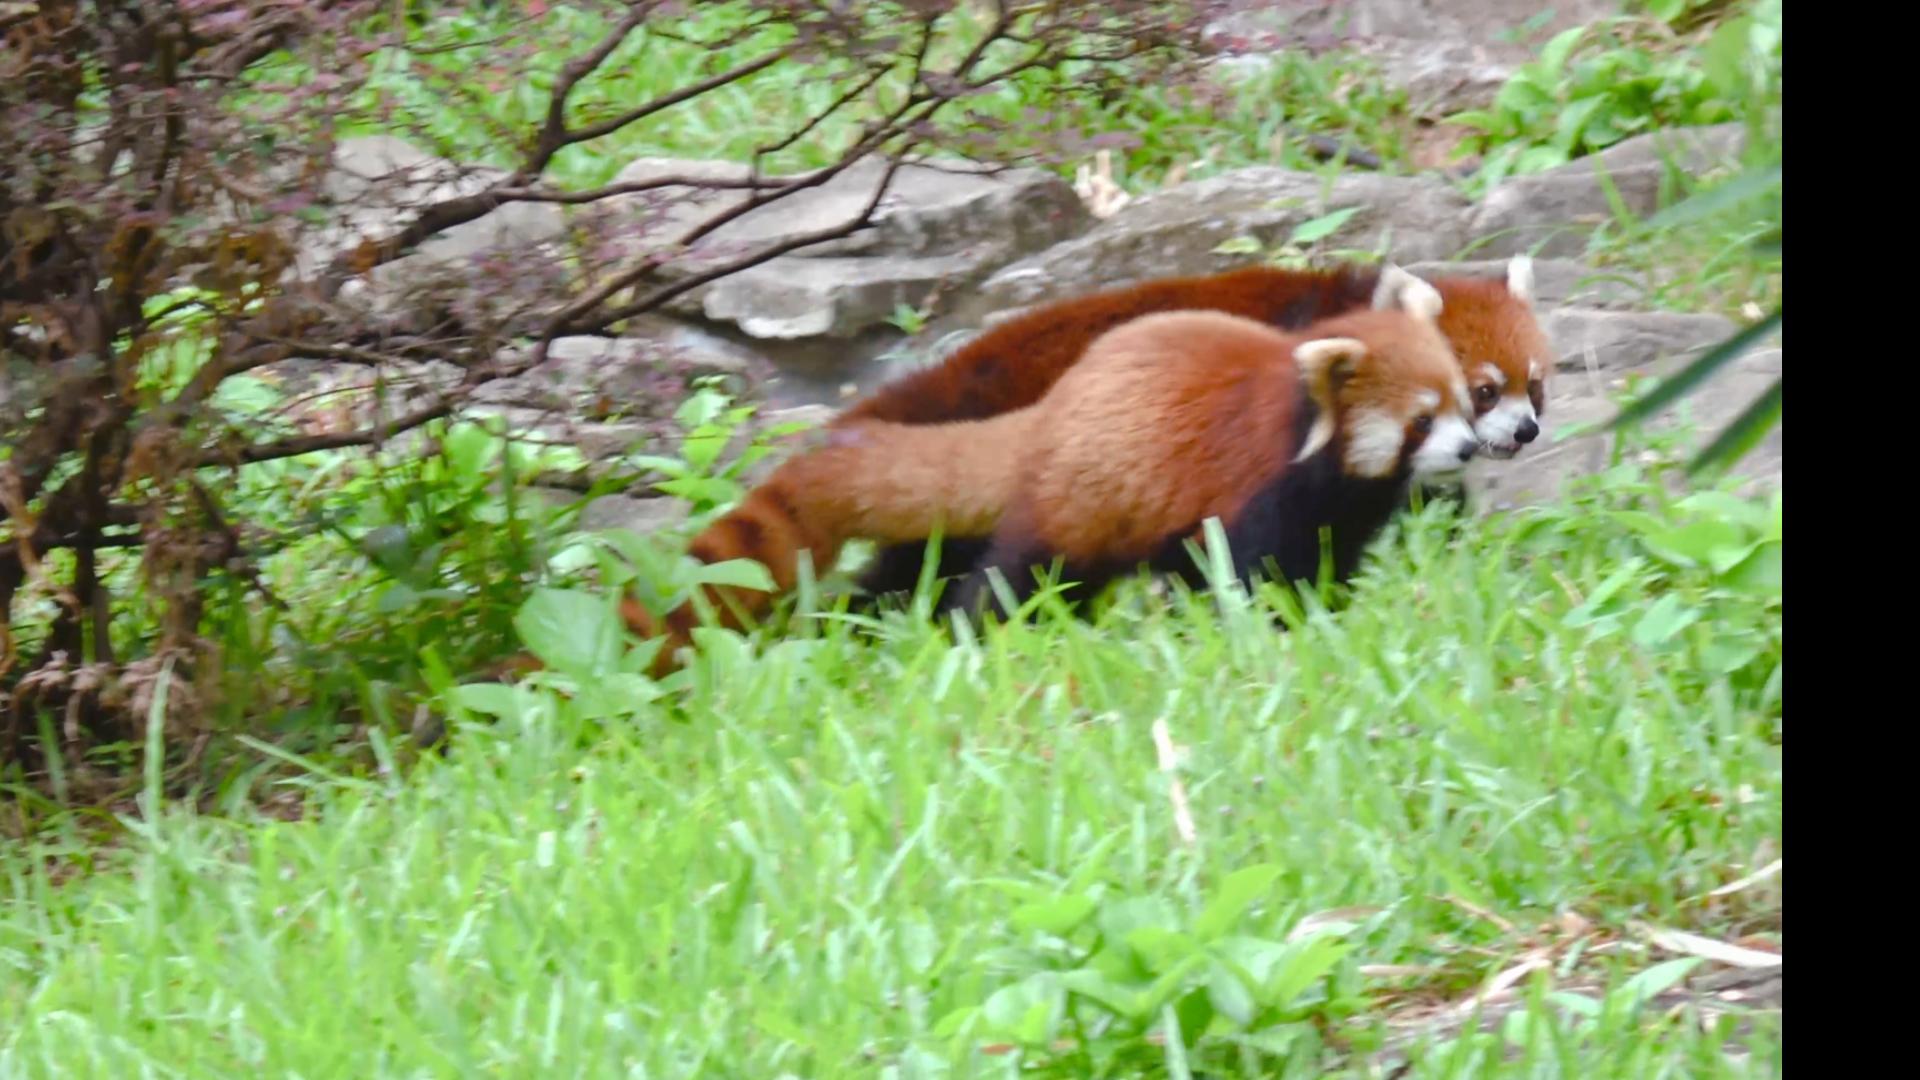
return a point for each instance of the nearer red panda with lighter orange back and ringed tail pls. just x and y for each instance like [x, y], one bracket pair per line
[1166, 422]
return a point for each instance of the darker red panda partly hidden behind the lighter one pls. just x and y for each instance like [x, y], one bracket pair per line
[1504, 355]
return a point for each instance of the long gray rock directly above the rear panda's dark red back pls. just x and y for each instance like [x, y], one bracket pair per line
[1176, 232]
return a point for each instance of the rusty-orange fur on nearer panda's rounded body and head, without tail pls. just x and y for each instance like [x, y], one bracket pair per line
[1182, 416]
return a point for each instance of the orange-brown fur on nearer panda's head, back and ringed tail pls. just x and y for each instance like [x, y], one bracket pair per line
[1170, 420]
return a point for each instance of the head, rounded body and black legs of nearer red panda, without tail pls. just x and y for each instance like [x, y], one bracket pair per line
[1186, 416]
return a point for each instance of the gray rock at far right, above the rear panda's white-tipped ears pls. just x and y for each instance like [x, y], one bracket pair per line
[1556, 212]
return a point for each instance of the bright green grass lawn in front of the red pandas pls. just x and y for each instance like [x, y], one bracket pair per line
[840, 854]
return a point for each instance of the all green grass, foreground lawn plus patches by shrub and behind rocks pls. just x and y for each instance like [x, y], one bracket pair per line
[878, 852]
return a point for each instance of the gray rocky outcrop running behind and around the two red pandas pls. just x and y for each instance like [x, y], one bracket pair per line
[813, 328]
